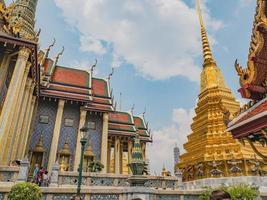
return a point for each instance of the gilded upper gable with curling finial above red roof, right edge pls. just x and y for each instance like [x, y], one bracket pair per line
[253, 79]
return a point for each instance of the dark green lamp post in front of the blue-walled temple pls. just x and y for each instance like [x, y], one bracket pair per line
[83, 141]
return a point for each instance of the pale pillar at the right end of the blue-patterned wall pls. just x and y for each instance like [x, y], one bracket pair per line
[104, 145]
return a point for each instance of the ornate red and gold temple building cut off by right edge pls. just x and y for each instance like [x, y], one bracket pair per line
[250, 125]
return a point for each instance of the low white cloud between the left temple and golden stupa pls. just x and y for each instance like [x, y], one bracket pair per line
[161, 151]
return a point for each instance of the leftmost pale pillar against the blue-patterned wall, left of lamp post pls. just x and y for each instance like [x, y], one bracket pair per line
[56, 133]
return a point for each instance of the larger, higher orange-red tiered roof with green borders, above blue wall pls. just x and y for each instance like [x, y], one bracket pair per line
[76, 85]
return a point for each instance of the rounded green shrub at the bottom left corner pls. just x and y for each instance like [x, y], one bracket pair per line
[25, 191]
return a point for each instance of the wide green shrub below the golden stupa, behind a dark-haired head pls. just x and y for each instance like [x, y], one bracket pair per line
[237, 192]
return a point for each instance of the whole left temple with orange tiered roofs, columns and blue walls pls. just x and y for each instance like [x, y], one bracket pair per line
[44, 105]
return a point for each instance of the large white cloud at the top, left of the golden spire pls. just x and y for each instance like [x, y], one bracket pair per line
[160, 38]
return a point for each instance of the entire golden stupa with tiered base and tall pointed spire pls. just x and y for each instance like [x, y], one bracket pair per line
[211, 151]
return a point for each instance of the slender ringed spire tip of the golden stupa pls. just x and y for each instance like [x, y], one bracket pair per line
[207, 54]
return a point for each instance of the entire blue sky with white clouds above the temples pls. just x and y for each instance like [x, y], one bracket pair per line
[155, 47]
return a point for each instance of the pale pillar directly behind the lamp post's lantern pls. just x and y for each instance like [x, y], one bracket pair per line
[78, 144]
